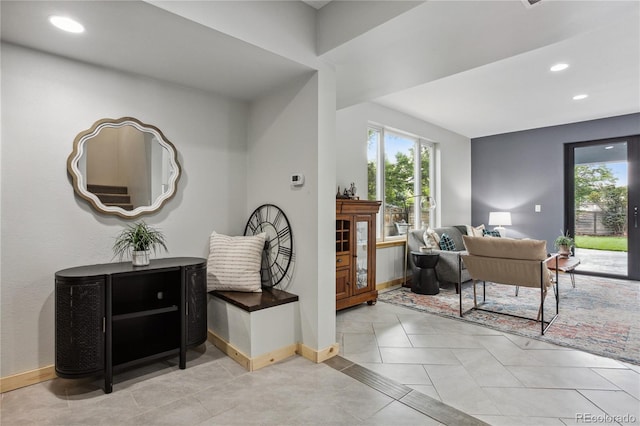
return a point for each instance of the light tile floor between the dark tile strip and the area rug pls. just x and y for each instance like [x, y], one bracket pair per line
[500, 378]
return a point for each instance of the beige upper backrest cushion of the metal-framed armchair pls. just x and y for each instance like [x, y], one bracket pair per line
[506, 248]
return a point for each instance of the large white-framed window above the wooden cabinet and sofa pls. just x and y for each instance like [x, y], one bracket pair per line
[400, 174]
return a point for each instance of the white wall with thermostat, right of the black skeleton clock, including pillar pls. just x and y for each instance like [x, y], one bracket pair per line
[284, 139]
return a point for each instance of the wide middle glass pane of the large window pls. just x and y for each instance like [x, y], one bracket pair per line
[398, 183]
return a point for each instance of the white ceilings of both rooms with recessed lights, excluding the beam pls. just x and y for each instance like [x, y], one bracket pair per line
[475, 67]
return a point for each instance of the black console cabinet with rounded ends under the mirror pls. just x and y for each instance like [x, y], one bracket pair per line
[116, 315]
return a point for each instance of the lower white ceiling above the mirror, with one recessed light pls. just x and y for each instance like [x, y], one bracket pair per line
[143, 39]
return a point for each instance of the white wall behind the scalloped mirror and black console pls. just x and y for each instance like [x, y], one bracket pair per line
[46, 101]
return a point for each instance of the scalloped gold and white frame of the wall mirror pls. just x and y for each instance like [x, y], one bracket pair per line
[79, 181]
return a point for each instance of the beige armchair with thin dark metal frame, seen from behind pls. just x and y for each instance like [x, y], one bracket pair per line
[512, 262]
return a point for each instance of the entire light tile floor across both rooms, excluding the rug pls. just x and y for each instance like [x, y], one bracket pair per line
[419, 368]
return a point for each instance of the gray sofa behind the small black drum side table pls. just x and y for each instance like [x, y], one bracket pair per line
[450, 268]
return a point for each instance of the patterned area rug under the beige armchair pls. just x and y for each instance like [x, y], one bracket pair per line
[599, 315]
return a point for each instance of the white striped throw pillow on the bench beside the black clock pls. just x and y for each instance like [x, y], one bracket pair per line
[234, 263]
